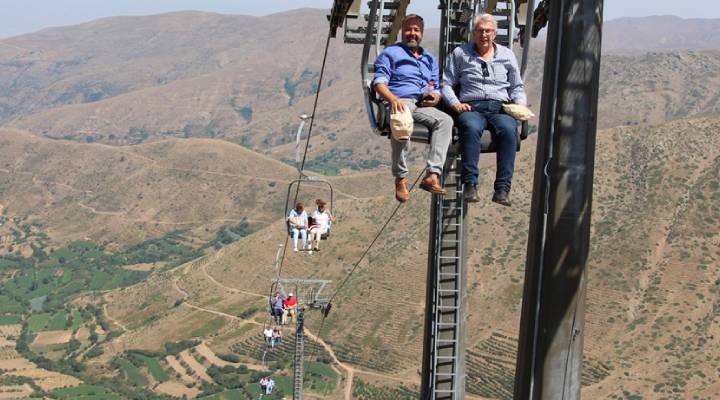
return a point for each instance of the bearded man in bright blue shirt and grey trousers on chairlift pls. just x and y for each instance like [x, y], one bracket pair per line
[406, 77]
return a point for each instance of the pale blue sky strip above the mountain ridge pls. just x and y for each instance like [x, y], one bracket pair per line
[23, 16]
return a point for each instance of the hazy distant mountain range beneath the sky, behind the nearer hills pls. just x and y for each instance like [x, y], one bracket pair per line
[135, 79]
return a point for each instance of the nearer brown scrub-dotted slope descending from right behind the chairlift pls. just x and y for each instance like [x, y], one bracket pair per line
[653, 293]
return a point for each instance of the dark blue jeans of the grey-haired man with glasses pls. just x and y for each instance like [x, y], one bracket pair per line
[503, 128]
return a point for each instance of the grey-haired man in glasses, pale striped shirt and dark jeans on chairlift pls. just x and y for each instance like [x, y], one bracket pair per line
[488, 76]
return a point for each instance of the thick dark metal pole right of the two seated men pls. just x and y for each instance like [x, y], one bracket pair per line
[552, 322]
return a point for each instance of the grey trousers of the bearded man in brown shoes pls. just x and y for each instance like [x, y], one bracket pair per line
[440, 125]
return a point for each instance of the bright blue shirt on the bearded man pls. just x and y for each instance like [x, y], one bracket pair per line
[407, 77]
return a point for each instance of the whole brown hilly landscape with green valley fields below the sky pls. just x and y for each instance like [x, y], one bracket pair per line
[142, 197]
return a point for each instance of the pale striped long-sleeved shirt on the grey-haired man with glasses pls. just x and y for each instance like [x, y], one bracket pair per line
[496, 79]
